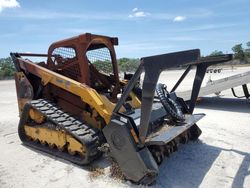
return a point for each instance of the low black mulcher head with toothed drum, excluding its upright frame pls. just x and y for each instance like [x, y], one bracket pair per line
[140, 163]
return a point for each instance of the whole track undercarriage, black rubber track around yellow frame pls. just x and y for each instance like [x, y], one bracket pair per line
[53, 131]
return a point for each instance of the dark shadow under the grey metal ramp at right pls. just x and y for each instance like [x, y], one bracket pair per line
[225, 104]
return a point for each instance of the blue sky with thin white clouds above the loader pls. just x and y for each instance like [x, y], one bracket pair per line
[144, 27]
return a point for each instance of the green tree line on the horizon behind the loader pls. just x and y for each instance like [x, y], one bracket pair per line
[240, 53]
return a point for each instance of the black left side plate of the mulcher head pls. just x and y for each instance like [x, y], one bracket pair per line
[136, 164]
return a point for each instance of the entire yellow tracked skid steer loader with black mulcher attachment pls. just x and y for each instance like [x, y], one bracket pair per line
[70, 107]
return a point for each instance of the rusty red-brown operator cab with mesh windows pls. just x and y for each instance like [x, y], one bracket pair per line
[88, 59]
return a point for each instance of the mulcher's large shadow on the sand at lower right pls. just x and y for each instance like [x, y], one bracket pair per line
[189, 166]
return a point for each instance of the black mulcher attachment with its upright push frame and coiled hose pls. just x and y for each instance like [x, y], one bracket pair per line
[140, 139]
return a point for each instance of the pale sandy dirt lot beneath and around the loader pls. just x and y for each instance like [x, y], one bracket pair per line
[220, 158]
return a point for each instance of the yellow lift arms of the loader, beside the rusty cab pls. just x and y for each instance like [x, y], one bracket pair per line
[100, 103]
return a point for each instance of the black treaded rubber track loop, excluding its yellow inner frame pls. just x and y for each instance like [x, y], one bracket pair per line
[86, 135]
